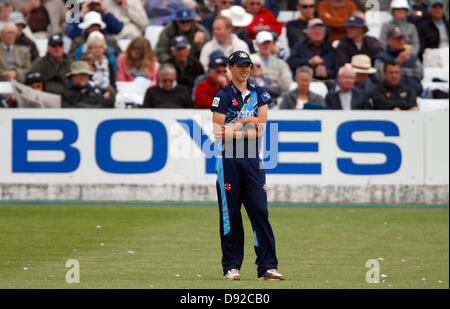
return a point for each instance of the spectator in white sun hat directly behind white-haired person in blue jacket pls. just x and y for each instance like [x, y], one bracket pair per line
[92, 22]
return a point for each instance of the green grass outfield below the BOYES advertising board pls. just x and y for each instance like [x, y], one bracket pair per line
[147, 246]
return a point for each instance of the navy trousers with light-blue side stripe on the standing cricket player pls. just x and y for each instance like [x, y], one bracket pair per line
[242, 181]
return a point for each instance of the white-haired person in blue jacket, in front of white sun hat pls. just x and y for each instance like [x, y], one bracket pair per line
[105, 64]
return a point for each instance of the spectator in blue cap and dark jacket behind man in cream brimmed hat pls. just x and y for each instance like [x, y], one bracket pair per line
[356, 42]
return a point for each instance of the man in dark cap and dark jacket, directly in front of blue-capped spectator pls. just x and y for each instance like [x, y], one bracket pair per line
[188, 67]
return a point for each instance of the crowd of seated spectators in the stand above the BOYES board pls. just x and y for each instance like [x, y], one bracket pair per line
[328, 43]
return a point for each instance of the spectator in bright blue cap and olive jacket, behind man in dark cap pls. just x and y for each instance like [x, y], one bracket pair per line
[182, 24]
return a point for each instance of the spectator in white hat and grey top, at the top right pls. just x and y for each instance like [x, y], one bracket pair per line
[399, 11]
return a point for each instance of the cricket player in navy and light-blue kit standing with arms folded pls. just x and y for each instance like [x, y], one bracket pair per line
[239, 119]
